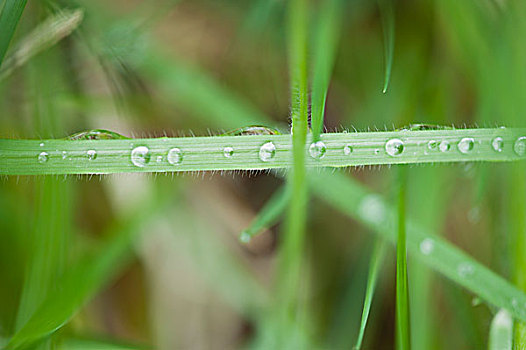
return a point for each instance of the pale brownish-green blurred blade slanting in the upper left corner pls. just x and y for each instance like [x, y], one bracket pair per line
[45, 35]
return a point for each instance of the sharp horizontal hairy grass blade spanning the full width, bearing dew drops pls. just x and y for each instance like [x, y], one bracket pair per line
[39, 157]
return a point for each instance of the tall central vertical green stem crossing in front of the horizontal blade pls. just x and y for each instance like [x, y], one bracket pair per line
[293, 241]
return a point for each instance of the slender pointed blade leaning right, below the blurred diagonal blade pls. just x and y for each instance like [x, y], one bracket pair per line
[377, 258]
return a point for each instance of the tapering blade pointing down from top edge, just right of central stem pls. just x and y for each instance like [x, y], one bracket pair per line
[326, 39]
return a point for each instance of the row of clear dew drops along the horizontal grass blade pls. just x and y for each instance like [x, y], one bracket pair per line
[140, 156]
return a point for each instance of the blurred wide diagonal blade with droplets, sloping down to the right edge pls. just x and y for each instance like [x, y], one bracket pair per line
[351, 198]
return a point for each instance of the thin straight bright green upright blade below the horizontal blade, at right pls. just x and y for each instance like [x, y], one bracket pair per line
[402, 294]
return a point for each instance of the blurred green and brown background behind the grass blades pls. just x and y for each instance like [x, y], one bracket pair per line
[171, 272]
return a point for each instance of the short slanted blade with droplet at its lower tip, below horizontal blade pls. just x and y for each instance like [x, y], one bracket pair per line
[268, 215]
